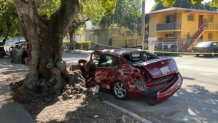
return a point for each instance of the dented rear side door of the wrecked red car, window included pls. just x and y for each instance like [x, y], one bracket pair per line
[106, 70]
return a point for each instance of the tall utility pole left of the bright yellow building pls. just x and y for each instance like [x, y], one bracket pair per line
[143, 24]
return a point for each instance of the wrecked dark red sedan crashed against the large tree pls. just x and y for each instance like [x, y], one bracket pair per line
[132, 73]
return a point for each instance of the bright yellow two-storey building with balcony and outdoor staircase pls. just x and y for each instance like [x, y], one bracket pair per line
[186, 26]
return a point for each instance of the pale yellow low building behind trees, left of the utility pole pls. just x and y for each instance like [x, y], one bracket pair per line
[114, 37]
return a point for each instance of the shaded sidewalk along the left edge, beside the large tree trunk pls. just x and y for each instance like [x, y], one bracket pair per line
[10, 112]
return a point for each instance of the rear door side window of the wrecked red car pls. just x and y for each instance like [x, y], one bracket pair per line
[107, 61]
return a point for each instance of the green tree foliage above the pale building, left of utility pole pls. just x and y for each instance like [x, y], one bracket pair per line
[126, 14]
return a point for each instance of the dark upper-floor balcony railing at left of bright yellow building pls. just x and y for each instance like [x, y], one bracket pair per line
[168, 26]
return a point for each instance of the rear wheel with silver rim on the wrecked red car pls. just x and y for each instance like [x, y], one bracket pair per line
[119, 90]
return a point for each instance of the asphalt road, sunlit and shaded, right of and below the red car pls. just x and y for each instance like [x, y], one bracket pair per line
[195, 102]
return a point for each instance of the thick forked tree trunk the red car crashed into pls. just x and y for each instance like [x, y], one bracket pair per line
[47, 71]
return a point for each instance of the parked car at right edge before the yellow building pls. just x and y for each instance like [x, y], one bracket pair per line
[207, 47]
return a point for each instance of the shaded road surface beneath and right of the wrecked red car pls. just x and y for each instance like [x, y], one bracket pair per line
[193, 105]
